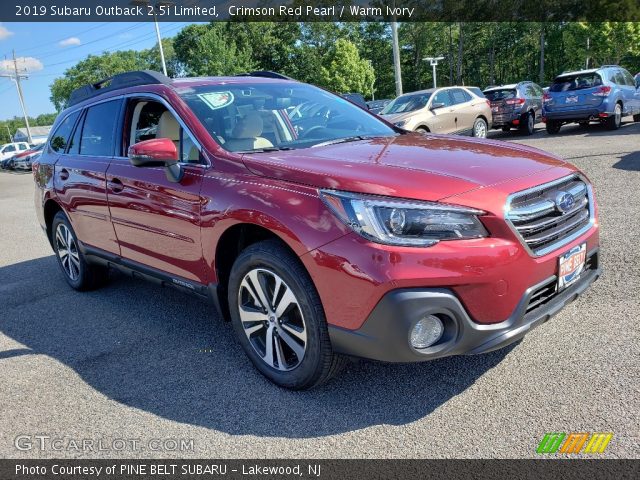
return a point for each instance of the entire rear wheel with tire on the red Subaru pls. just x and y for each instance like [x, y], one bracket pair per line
[78, 273]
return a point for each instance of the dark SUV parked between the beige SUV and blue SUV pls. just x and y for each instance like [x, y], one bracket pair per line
[518, 105]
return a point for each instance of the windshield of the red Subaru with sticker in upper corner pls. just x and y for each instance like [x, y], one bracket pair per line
[258, 117]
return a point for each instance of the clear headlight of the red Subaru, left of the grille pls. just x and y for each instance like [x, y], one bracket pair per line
[404, 222]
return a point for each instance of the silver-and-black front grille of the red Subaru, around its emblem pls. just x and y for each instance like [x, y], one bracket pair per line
[541, 223]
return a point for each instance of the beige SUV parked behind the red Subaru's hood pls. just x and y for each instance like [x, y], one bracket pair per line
[449, 110]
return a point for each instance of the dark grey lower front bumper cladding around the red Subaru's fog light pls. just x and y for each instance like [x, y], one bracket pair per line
[385, 334]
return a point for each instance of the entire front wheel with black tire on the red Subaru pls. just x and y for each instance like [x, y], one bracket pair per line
[300, 355]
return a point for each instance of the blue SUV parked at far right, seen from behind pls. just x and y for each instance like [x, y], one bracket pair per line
[604, 94]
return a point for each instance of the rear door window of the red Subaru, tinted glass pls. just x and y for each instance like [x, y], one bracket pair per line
[98, 132]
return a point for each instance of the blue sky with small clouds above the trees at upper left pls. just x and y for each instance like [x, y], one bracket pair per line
[46, 50]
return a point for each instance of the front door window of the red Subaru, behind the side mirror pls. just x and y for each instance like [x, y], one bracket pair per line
[150, 119]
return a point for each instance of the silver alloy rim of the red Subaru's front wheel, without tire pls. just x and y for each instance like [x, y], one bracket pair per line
[272, 319]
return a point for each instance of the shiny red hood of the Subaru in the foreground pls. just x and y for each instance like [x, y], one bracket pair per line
[425, 167]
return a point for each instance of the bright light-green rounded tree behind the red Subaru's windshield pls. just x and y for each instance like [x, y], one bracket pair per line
[344, 71]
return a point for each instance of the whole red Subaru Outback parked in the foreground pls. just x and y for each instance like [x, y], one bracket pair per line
[319, 229]
